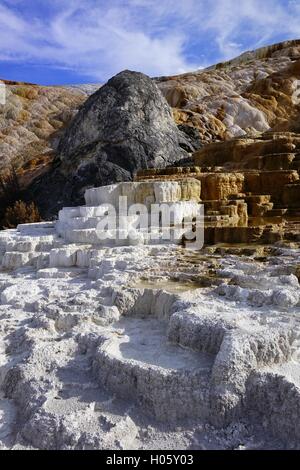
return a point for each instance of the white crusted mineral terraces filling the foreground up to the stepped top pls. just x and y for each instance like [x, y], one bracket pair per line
[145, 345]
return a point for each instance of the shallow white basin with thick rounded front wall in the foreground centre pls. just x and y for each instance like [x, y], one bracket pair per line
[137, 354]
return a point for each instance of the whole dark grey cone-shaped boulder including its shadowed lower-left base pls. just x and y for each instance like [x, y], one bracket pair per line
[127, 125]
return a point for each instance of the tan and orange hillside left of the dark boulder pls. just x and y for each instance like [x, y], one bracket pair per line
[31, 121]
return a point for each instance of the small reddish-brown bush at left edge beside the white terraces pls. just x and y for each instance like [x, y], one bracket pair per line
[20, 213]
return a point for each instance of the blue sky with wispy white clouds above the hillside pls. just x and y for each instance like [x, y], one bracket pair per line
[87, 41]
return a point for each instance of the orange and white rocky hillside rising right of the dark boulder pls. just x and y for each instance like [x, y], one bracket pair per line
[256, 92]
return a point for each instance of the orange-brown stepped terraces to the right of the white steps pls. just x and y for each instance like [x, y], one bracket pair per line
[250, 188]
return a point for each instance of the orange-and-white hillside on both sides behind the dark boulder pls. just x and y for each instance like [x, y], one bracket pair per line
[254, 93]
